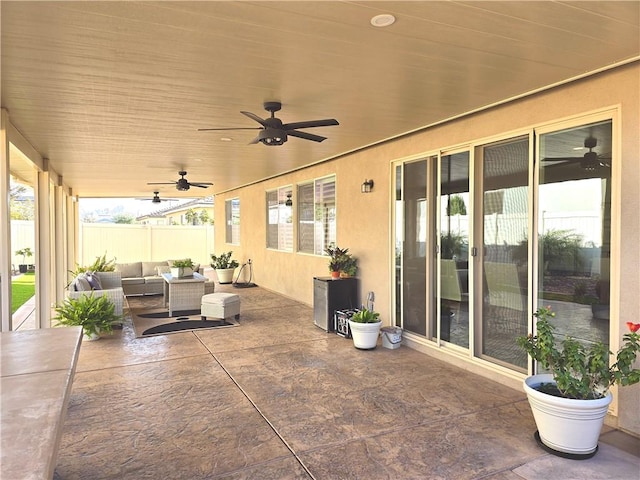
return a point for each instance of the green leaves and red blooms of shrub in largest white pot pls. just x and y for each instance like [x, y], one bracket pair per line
[581, 372]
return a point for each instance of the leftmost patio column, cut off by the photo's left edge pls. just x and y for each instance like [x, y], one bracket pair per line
[5, 226]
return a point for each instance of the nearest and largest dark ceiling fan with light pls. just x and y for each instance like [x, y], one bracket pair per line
[273, 132]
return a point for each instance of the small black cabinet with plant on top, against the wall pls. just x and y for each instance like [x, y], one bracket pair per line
[330, 295]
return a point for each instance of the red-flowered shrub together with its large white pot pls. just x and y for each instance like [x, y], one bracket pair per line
[569, 403]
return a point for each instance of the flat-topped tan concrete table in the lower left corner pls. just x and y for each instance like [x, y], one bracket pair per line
[37, 367]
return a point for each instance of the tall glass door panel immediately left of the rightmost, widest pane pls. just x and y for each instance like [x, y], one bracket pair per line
[503, 260]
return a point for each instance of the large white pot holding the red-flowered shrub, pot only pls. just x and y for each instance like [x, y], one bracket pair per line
[566, 425]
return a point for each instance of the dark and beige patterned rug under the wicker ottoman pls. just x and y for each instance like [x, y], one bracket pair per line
[158, 322]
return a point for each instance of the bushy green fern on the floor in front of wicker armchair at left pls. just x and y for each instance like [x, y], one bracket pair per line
[94, 313]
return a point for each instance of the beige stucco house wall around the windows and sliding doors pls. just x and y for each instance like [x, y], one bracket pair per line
[364, 220]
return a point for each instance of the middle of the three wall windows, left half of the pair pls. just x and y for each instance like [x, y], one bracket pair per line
[280, 219]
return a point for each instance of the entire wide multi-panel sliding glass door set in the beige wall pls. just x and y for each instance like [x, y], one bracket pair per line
[485, 234]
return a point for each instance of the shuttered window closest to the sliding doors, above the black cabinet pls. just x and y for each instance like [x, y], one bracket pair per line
[317, 215]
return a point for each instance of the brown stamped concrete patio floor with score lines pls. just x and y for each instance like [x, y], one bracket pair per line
[278, 398]
